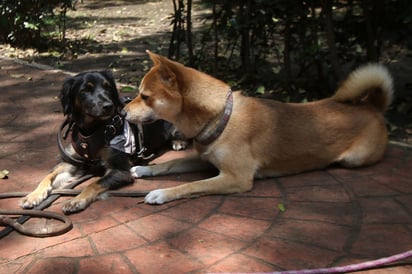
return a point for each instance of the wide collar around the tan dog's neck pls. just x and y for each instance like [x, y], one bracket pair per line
[214, 128]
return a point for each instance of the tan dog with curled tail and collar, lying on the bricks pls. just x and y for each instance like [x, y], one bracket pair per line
[247, 138]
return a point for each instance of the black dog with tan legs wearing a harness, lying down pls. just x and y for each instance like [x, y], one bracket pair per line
[102, 142]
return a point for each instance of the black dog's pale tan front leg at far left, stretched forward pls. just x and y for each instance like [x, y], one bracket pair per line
[60, 173]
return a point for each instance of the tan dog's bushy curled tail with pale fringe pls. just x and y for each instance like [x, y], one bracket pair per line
[370, 84]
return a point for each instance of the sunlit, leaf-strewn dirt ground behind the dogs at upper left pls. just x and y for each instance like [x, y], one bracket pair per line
[111, 34]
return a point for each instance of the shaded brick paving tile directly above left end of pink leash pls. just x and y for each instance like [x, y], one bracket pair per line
[289, 255]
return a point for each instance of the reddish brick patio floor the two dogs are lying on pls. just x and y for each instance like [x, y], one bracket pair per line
[332, 217]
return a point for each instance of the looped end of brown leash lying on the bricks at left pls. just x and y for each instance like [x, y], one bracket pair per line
[11, 222]
